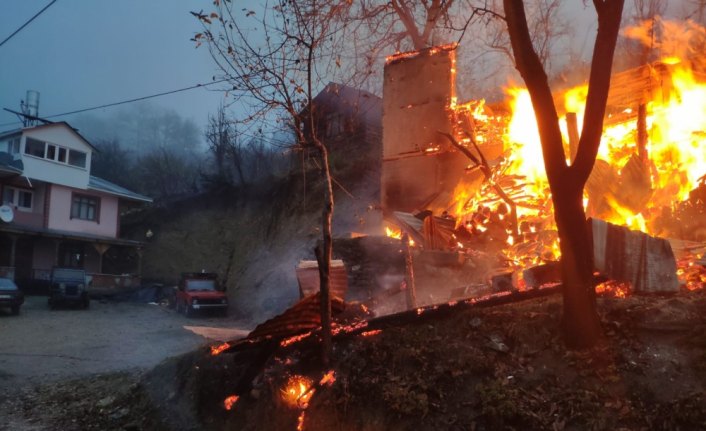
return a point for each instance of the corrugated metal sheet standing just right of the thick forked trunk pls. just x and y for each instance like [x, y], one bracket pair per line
[646, 262]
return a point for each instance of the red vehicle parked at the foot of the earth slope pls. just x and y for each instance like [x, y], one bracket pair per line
[199, 291]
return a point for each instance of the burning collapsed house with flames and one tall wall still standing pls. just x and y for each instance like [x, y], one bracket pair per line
[469, 179]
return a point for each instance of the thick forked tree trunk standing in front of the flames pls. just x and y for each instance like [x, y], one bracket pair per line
[580, 319]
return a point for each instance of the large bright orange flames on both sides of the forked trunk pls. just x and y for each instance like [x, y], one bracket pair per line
[637, 186]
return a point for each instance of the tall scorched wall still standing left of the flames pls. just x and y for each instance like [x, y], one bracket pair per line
[418, 90]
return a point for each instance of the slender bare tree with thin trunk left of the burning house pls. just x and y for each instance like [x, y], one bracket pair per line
[275, 58]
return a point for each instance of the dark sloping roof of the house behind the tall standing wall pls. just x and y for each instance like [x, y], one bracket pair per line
[351, 100]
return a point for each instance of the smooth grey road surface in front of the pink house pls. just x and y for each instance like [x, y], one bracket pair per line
[41, 345]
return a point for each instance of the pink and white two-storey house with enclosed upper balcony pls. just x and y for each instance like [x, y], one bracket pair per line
[55, 213]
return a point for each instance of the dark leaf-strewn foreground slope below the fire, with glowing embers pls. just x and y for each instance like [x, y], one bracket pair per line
[493, 368]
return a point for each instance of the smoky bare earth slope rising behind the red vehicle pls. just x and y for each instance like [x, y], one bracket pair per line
[252, 238]
